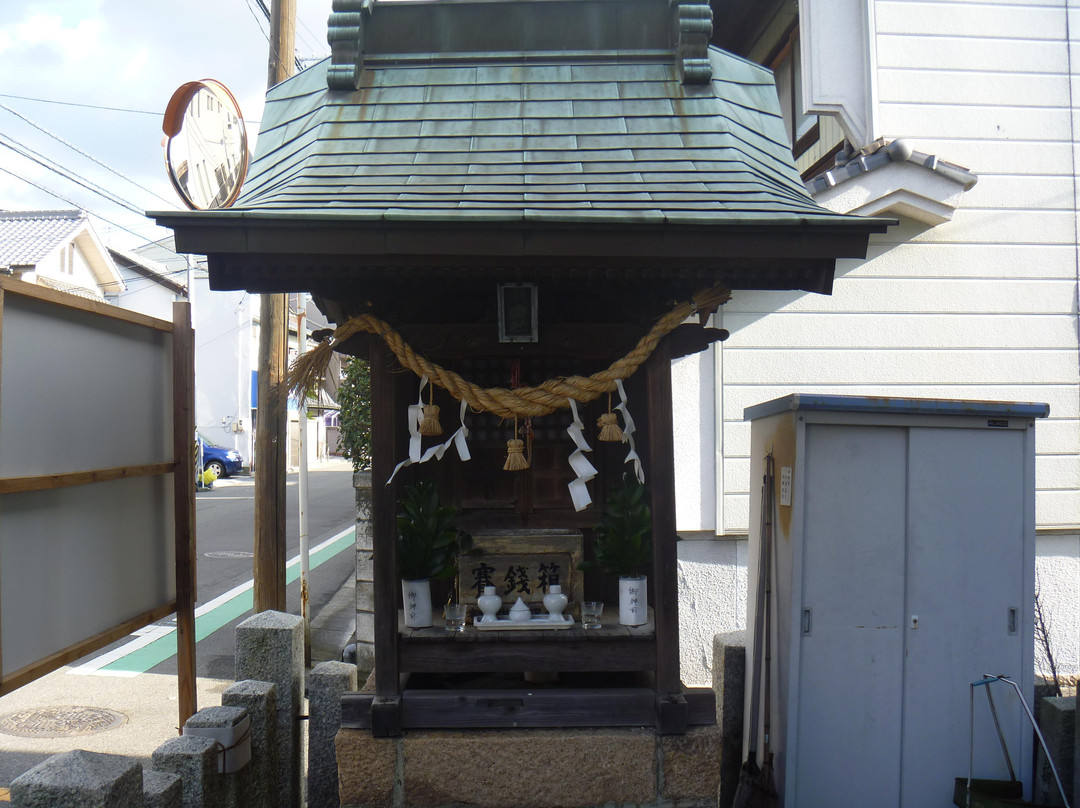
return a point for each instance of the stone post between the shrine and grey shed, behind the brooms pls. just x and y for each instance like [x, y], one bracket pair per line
[730, 683]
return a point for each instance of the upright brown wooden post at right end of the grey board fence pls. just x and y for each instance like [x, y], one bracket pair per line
[184, 499]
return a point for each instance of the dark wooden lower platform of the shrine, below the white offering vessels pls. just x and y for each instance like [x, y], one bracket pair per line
[620, 693]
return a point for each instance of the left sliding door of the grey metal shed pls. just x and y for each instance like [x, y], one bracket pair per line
[848, 737]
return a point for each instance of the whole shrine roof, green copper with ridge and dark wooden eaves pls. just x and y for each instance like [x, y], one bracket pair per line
[523, 137]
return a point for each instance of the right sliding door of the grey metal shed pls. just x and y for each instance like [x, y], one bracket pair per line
[965, 573]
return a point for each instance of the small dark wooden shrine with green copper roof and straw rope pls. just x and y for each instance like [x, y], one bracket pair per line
[517, 193]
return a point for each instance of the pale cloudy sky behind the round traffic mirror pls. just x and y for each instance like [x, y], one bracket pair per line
[99, 74]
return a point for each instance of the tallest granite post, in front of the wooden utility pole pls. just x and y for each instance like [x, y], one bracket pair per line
[271, 649]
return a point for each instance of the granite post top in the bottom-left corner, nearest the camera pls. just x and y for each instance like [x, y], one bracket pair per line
[80, 779]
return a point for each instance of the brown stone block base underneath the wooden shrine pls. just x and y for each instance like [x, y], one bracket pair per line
[530, 769]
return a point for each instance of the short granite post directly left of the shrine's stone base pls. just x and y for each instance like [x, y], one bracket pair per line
[327, 683]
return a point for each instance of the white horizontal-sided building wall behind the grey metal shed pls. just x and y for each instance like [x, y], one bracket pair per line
[982, 307]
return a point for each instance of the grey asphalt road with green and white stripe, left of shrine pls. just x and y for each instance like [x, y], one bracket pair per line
[225, 528]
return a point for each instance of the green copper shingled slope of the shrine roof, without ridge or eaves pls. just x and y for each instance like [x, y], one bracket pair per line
[598, 140]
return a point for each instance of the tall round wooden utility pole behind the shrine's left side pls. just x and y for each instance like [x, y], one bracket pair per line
[271, 434]
